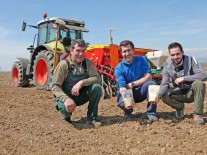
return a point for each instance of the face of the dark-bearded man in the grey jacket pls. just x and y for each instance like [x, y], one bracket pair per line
[176, 56]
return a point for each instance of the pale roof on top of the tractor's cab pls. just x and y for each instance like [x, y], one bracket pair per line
[70, 24]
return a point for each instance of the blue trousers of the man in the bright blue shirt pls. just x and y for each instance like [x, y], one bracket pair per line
[140, 93]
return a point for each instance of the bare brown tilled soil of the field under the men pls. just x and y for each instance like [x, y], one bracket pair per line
[30, 124]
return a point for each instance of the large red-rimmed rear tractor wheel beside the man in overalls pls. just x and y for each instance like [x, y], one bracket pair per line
[42, 70]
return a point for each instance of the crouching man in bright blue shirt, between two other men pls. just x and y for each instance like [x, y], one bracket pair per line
[134, 73]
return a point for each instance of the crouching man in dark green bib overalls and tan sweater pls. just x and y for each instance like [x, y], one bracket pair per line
[76, 82]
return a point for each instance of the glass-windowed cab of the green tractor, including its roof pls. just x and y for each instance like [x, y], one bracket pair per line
[68, 30]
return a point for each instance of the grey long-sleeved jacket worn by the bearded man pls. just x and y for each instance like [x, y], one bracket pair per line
[192, 71]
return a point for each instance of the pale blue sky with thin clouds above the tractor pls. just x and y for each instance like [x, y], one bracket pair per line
[150, 24]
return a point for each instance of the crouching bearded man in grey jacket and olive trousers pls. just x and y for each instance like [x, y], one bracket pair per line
[187, 77]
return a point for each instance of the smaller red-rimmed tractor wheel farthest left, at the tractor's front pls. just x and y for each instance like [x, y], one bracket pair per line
[18, 76]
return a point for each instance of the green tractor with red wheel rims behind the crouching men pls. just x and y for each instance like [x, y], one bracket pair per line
[53, 44]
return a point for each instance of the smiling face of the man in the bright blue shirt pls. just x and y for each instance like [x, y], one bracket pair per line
[127, 53]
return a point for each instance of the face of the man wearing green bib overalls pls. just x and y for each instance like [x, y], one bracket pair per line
[77, 54]
